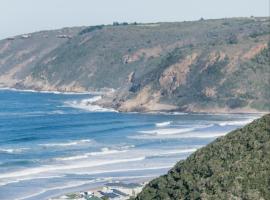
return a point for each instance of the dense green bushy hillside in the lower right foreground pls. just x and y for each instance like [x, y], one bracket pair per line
[235, 166]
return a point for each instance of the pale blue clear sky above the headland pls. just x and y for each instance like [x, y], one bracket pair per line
[25, 16]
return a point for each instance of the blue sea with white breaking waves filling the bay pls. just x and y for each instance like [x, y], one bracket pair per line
[52, 143]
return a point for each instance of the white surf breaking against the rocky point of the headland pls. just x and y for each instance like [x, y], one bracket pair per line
[87, 104]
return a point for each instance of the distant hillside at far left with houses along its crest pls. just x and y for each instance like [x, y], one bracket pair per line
[19, 55]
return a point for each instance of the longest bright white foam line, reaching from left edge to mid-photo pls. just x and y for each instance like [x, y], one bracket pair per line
[62, 168]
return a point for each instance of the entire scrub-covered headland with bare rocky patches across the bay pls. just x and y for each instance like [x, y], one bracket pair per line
[208, 65]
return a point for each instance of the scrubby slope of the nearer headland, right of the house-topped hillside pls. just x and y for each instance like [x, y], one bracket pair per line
[95, 59]
